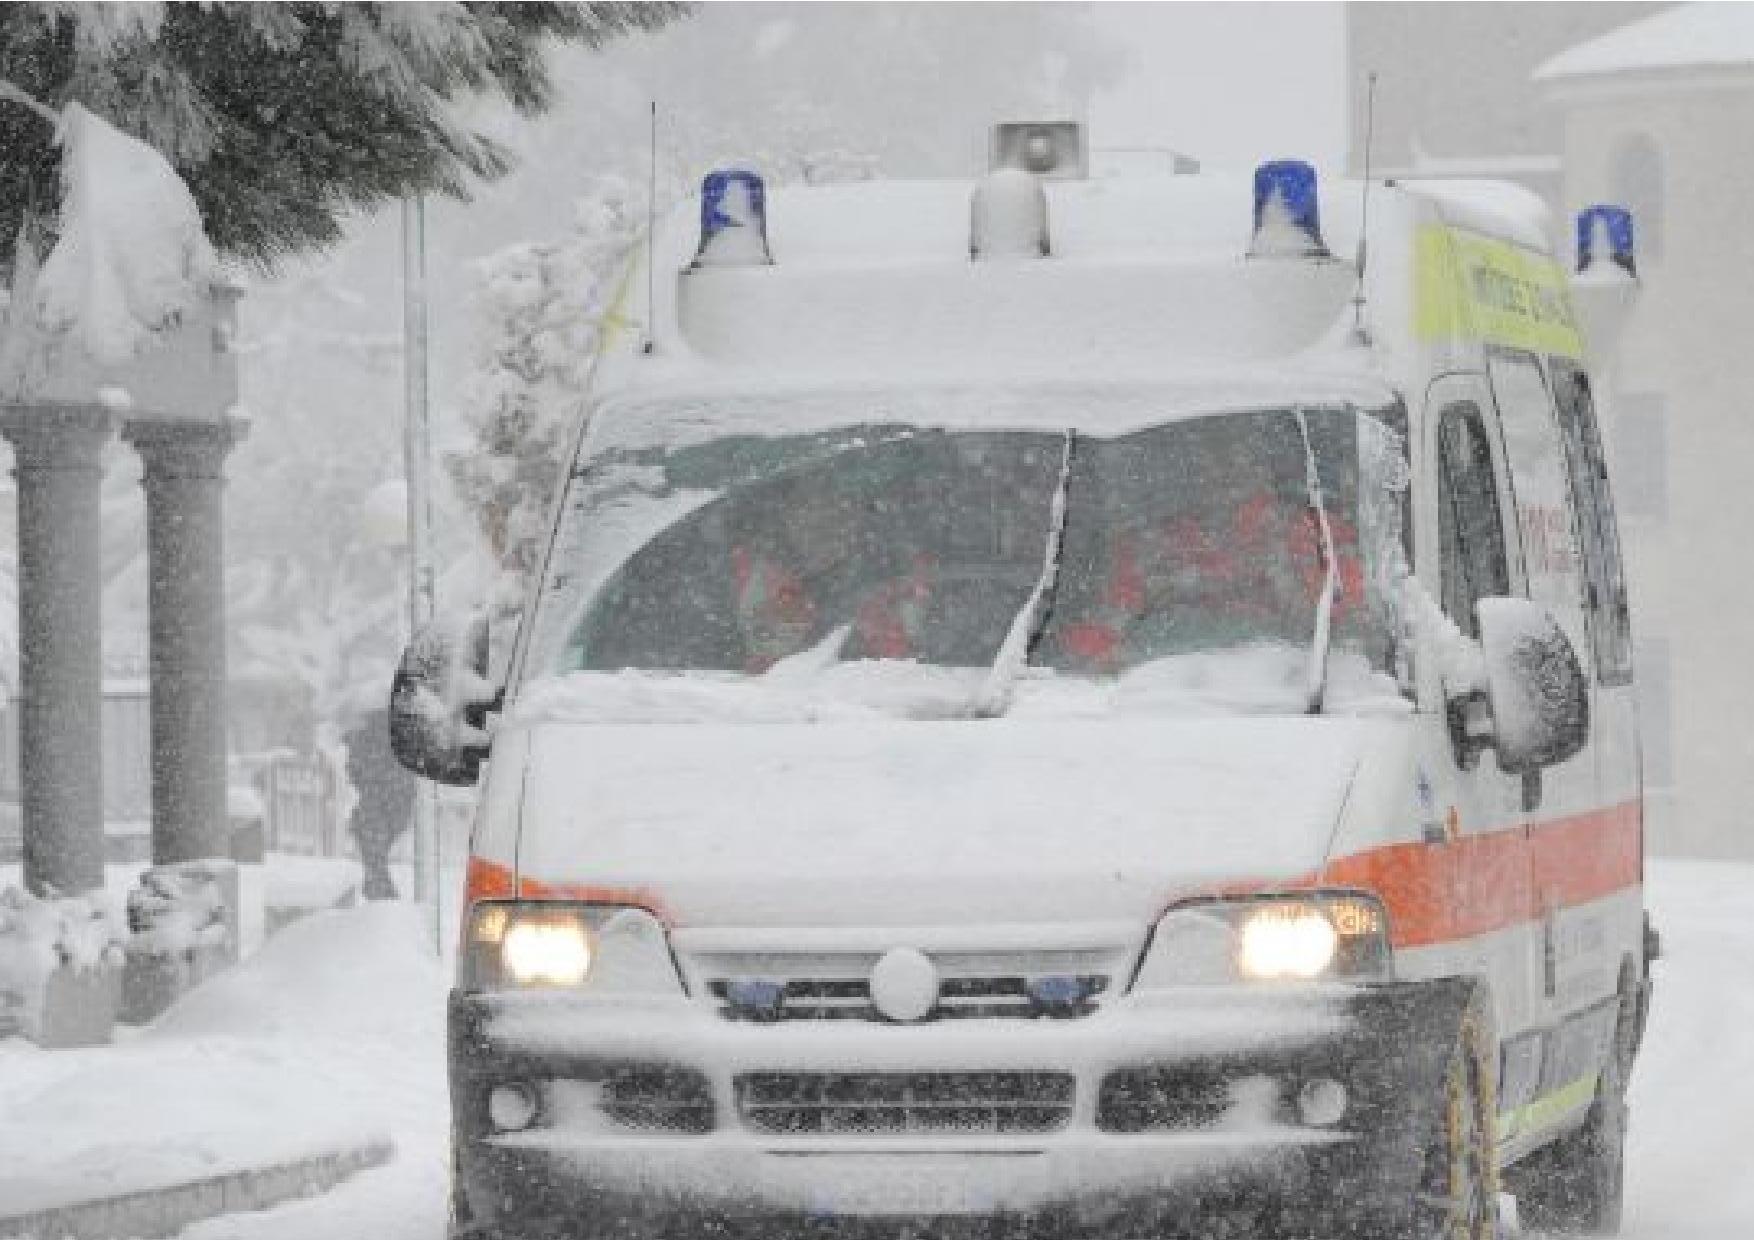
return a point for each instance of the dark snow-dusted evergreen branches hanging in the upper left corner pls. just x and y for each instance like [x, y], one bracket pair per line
[285, 117]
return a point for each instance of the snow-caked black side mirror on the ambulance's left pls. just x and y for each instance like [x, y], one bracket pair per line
[439, 702]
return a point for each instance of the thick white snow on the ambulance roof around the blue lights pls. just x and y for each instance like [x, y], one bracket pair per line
[1146, 276]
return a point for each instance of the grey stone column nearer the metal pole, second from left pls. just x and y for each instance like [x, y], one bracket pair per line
[187, 557]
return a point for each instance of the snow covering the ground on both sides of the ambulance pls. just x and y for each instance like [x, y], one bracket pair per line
[339, 1022]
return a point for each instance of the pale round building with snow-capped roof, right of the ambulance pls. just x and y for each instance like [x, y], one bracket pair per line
[1657, 117]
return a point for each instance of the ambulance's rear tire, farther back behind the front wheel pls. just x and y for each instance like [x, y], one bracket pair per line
[1578, 1185]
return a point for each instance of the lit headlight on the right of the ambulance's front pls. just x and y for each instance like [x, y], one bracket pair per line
[1311, 936]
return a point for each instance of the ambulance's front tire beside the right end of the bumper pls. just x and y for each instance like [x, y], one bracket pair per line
[1458, 1190]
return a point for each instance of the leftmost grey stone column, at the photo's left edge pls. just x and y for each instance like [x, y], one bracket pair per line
[61, 471]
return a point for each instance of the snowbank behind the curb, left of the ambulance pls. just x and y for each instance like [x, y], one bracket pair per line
[331, 1037]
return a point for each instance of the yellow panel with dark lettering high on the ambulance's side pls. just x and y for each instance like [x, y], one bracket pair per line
[1478, 289]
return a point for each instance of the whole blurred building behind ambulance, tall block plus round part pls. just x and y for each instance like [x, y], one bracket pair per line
[1650, 108]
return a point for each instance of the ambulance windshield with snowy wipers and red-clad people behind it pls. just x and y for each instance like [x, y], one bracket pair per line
[899, 545]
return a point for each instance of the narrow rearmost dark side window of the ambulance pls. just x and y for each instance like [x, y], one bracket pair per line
[1609, 615]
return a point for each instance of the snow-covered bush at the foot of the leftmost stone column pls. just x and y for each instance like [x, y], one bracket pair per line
[41, 937]
